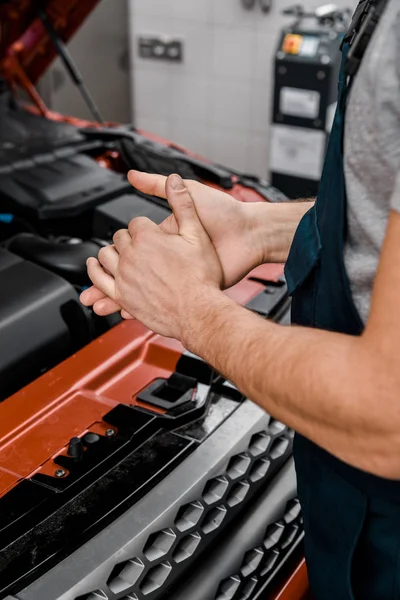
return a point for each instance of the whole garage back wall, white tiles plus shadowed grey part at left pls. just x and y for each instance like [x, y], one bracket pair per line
[216, 101]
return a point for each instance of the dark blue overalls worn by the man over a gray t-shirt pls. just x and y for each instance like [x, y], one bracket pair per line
[352, 519]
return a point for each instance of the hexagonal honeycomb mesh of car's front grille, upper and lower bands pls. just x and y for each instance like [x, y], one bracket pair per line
[166, 553]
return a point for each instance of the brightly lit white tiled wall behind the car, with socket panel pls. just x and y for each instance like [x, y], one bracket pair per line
[217, 102]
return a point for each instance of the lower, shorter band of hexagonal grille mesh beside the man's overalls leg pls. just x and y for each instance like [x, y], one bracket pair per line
[260, 563]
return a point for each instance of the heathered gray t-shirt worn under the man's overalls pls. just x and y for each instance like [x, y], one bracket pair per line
[372, 155]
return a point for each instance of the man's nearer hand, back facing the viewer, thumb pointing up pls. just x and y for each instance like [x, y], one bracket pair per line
[161, 278]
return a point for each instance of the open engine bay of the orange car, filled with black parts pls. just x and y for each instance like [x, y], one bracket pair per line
[63, 194]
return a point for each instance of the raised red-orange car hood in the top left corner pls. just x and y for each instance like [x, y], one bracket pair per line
[24, 42]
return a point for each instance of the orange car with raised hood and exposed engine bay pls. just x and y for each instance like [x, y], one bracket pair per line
[129, 470]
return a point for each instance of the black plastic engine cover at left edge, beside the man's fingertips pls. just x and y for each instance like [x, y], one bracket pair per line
[37, 309]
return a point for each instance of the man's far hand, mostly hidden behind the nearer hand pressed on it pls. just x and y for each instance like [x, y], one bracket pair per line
[244, 235]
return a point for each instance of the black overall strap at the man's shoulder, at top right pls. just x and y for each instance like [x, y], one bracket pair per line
[362, 28]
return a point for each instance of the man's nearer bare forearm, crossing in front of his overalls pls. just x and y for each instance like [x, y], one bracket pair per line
[324, 385]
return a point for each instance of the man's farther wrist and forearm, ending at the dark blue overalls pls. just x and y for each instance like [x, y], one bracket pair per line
[274, 225]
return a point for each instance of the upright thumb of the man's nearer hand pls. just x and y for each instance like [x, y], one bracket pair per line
[182, 205]
